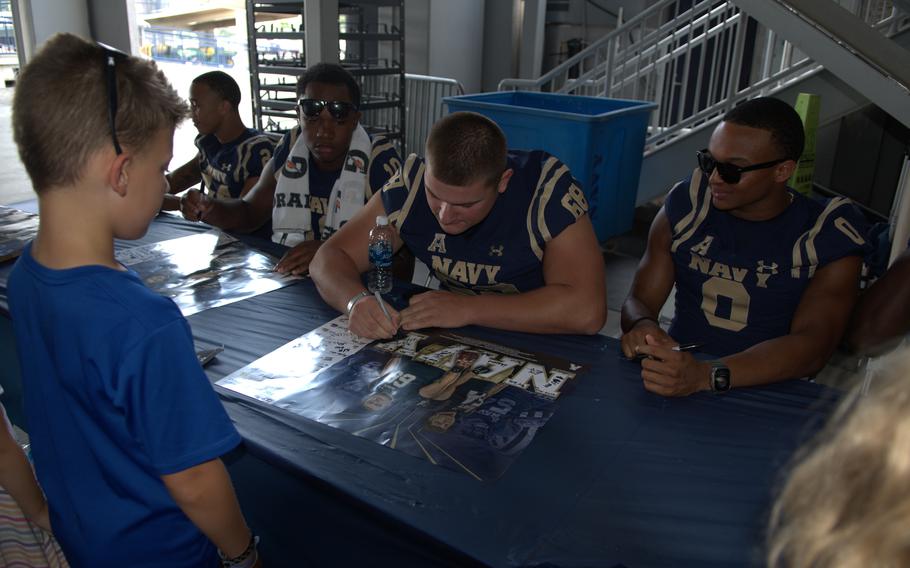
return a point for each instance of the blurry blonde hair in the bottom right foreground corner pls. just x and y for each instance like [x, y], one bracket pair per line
[847, 500]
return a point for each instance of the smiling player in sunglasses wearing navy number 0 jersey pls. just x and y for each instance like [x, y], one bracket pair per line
[765, 277]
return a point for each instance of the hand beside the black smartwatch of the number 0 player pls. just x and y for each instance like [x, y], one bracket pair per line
[667, 370]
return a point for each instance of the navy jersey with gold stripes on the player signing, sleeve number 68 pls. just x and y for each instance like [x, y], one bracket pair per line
[504, 252]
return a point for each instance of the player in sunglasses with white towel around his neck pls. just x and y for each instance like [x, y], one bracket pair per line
[321, 173]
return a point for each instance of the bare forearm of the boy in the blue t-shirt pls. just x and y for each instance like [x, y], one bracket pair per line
[205, 494]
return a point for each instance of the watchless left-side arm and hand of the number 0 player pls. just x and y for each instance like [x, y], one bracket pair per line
[651, 285]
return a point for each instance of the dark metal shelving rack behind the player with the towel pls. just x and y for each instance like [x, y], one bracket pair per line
[370, 46]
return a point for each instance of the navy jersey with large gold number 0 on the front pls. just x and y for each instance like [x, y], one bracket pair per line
[739, 282]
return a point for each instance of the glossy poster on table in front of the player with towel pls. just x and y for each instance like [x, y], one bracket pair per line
[204, 271]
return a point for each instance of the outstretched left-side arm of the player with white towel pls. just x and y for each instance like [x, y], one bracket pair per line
[244, 215]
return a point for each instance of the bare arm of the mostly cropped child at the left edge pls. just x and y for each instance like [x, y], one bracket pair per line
[17, 477]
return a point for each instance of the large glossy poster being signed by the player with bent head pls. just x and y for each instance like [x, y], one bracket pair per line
[462, 403]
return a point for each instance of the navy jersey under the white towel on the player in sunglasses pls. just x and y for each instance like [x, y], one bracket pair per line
[384, 161]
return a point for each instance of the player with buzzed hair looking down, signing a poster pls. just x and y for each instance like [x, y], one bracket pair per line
[506, 233]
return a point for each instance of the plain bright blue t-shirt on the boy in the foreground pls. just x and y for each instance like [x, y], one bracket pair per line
[115, 398]
